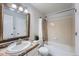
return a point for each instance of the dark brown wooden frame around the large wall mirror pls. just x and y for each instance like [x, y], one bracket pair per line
[15, 38]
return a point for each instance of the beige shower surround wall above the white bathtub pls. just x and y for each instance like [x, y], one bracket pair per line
[62, 31]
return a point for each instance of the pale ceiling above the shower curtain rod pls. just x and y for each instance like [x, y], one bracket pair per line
[47, 8]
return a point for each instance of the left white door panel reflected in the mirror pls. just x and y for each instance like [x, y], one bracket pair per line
[7, 26]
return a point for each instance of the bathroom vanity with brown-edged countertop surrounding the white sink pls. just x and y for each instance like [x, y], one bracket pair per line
[30, 51]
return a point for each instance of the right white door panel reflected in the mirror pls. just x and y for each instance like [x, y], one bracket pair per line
[20, 27]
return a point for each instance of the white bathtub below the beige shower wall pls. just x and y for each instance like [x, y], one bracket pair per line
[57, 49]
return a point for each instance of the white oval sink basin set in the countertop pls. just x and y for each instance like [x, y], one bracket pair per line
[14, 48]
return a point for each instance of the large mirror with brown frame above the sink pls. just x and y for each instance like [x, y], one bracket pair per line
[16, 24]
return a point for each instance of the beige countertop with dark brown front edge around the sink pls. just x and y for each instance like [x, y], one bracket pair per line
[3, 52]
